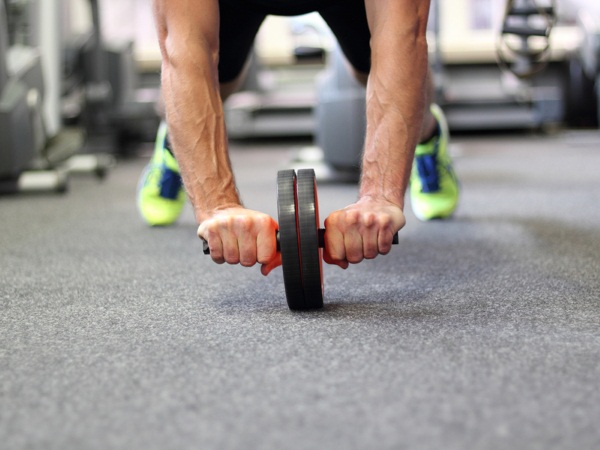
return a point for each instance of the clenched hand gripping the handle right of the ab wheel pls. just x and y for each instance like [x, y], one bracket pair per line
[361, 231]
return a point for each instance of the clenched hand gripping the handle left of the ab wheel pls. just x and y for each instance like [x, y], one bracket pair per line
[241, 236]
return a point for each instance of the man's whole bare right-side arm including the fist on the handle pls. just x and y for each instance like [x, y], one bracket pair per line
[396, 97]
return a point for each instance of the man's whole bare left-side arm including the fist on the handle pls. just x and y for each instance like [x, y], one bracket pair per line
[188, 32]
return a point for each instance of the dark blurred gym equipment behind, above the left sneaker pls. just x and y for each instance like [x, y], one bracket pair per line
[103, 89]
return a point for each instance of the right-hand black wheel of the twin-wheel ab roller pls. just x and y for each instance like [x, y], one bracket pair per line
[308, 225]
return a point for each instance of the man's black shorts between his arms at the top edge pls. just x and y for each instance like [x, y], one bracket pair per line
[241, 19]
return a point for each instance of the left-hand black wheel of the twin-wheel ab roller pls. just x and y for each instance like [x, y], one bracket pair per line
[289, 239]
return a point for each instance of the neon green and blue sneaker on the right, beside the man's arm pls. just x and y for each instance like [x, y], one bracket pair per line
[433, 183]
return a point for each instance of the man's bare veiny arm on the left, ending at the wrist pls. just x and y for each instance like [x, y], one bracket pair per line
[188, 32]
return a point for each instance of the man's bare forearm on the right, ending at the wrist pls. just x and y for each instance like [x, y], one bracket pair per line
[395, 100]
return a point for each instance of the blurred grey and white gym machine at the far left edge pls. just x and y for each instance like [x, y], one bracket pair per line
[35, 155]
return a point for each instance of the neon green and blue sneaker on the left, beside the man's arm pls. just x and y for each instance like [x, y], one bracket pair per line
[160, 193]
